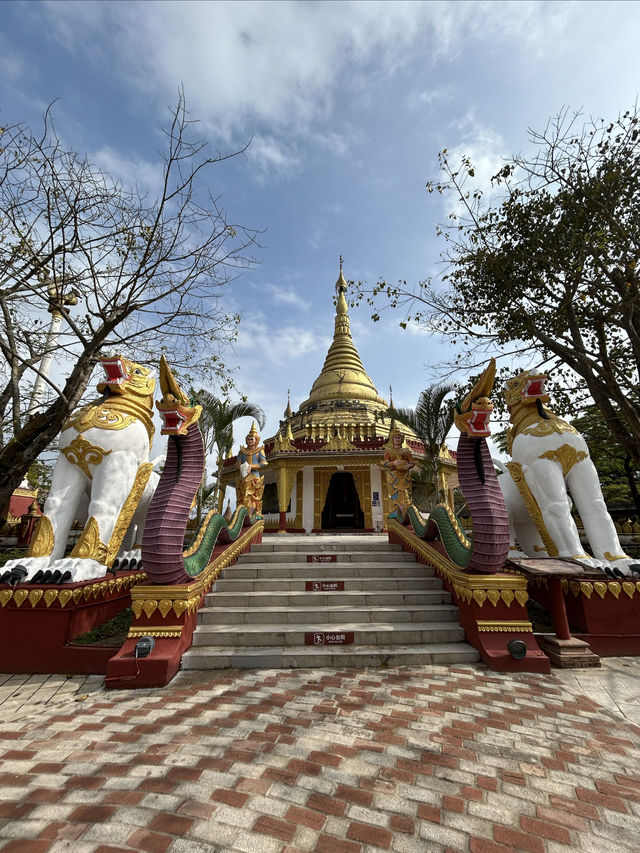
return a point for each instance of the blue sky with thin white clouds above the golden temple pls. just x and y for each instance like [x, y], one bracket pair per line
[347, 105]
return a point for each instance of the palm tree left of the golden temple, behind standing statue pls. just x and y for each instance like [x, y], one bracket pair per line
[216, 424]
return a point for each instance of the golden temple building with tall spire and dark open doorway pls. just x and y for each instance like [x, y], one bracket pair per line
[324, 463]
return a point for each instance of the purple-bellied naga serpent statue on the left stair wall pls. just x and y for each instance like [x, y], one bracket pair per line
[162, 545]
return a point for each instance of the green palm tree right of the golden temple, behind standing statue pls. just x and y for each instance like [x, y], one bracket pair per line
[431, 421]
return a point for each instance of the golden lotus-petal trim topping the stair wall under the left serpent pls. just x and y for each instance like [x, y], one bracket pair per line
[188, 597]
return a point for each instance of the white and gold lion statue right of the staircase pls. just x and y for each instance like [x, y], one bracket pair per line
[550, 460]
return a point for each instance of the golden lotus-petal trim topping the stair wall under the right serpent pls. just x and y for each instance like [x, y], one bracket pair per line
[468, 588]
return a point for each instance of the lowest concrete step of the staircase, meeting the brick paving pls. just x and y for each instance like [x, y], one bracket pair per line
[272, 657]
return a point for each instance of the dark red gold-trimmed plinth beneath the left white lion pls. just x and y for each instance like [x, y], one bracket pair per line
[37, 639]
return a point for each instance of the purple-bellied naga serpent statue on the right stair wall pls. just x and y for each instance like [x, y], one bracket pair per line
[488, 547]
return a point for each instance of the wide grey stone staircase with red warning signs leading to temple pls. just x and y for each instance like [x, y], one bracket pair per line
[327, 600]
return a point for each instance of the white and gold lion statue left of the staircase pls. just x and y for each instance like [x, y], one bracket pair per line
[102, 476]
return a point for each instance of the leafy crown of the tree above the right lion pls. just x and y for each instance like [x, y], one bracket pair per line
[547, 271]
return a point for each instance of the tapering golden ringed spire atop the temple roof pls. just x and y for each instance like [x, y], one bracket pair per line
[343, 377]
